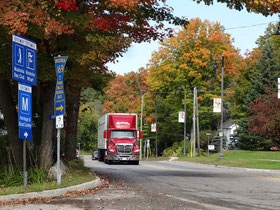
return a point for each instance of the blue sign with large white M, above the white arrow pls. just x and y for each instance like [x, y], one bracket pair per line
[24, 106]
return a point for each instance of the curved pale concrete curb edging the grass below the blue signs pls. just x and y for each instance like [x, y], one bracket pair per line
[52, 193]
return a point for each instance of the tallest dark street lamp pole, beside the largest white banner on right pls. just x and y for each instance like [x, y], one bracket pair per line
[222, 106]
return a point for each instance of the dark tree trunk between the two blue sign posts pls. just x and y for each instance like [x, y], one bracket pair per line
[46, 146]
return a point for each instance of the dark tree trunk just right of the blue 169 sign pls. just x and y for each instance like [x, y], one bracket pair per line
[72, 123]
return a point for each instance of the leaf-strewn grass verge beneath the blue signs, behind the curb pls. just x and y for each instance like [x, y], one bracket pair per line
[76, 174]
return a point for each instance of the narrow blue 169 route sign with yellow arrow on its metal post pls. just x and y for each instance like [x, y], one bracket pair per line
[59, 106]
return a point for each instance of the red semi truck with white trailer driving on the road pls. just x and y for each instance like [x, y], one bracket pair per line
[117, 138]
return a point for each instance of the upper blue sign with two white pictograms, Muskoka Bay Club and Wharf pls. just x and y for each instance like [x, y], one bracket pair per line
[24, 60]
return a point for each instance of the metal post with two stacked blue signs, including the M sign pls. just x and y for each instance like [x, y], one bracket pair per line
[24, 69]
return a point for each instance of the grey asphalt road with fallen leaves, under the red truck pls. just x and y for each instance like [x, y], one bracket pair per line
[175, 185]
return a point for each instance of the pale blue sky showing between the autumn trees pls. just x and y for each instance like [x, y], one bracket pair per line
[245, 37]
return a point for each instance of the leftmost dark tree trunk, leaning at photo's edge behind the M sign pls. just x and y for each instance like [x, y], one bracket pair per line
[8, 109]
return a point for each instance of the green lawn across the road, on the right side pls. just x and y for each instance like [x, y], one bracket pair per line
[240, 158]
